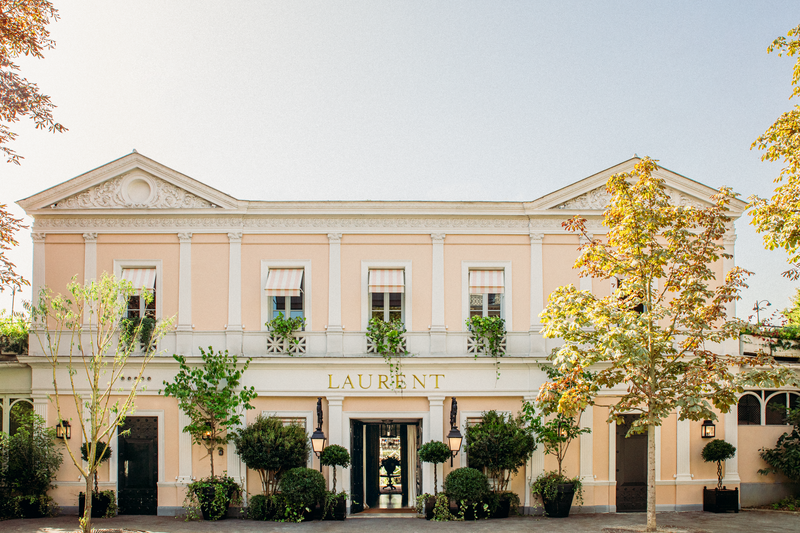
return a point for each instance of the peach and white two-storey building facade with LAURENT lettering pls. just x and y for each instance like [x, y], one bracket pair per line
[223, 267]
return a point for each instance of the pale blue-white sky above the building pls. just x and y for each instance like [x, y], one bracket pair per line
[402, 100]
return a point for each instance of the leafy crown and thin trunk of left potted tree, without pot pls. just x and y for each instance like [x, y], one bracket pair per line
[209, 396]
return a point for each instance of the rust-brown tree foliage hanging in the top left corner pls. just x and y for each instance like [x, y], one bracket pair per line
[23, 31]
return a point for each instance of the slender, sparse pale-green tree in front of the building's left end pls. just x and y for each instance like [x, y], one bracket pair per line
[82, 338]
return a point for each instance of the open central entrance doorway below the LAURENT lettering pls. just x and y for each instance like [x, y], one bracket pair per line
[385, 473]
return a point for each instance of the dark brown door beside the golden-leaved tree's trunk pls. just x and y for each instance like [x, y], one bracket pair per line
[631, 469]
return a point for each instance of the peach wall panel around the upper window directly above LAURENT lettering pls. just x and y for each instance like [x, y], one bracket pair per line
[415, 248]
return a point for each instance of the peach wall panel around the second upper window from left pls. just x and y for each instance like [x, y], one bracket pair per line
[256, 248]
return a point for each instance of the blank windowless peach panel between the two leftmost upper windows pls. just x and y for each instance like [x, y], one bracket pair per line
[210, 256]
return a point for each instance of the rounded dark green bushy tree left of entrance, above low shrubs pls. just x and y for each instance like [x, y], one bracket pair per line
[270, 448]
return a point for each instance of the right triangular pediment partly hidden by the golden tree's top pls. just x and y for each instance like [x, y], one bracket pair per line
[589, 194]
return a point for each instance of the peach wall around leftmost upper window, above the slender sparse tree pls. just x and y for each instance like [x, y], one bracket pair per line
[146, 247]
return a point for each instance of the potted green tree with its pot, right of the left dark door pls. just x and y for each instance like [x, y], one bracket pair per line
[210, 396]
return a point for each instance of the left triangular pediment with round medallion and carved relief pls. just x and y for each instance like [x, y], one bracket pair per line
[131, 182]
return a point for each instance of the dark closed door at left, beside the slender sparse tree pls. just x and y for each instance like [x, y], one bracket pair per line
[138, 465]
